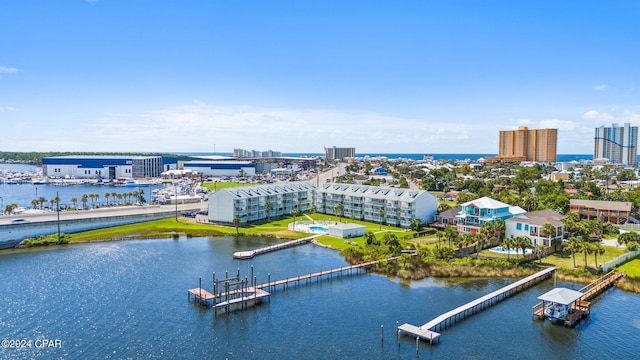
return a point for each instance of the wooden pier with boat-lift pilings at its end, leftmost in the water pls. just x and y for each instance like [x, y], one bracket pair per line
[238, 293]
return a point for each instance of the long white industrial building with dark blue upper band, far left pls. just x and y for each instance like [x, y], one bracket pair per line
[102, 167]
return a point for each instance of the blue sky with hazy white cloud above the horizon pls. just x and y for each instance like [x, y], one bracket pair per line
[294, 76]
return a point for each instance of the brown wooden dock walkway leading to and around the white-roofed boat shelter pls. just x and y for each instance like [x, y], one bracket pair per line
[581, 308]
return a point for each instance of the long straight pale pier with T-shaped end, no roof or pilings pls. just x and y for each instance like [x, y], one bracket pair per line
[427, 331]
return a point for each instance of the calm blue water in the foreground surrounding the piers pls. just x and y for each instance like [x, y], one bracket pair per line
[129, 300]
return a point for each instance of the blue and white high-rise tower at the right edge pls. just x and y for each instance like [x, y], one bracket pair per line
[618, 144]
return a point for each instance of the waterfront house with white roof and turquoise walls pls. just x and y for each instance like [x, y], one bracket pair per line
[476, 212]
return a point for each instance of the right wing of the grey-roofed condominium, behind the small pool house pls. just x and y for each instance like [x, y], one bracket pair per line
[383, 205]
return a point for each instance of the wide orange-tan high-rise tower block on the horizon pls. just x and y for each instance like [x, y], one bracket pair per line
[526, 145]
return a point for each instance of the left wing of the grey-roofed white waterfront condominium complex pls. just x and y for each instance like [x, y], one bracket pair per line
[249, 203]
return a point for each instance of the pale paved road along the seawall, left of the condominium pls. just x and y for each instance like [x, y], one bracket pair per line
[101, 212]
